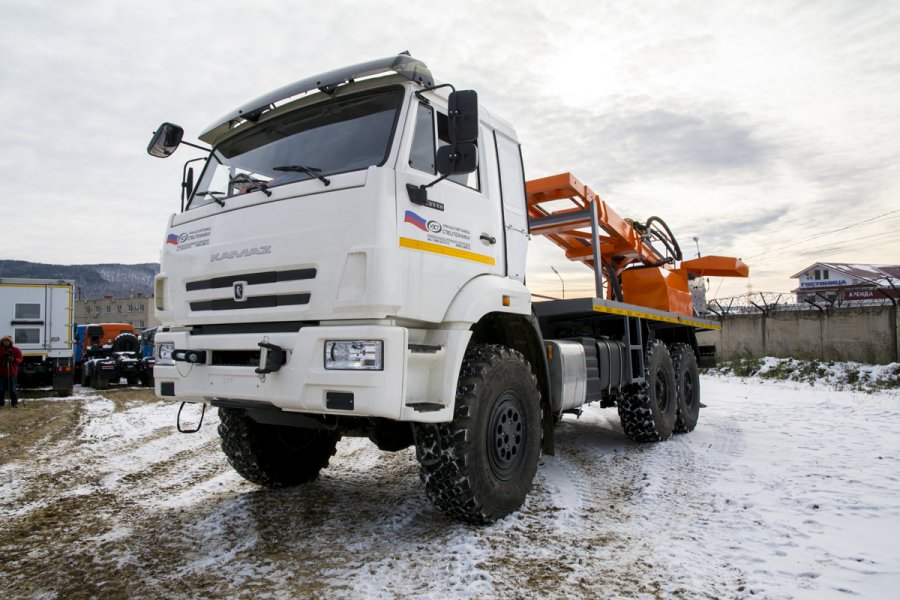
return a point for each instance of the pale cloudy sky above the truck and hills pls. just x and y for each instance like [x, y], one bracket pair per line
[768, 130]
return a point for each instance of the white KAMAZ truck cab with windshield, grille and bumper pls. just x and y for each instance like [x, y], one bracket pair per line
[321, 227]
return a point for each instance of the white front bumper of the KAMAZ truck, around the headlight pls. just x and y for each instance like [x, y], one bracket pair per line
[415, 385]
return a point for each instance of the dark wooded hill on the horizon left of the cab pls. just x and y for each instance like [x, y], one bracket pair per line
[91, 281]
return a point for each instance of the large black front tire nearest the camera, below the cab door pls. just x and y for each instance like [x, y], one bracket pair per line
[480, 466]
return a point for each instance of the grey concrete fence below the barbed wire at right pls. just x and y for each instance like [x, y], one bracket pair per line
[866, 334]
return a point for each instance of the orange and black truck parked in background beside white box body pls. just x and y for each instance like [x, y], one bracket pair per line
[107, 353]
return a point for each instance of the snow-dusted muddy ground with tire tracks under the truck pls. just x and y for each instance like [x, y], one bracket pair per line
[783, 490]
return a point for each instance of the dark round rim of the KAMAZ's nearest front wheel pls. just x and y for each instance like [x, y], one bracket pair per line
[506, 436]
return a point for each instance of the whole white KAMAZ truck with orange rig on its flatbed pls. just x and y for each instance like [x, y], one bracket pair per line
[351, 262]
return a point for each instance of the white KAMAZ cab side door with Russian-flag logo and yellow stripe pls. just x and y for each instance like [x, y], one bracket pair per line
[457, 234]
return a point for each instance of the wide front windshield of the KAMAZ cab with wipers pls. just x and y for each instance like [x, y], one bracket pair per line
[331, 137]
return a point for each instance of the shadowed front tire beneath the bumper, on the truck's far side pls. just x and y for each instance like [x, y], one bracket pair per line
[274, 456]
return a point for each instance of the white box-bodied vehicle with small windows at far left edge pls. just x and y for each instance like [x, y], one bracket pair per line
[38, 314]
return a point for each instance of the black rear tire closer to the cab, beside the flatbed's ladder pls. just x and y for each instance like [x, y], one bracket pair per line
[648, 410]
